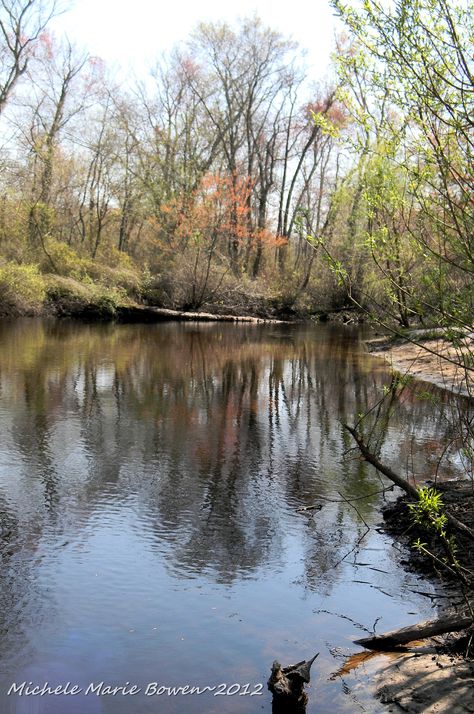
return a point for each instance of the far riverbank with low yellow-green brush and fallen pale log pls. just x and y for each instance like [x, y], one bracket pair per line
[103, 293]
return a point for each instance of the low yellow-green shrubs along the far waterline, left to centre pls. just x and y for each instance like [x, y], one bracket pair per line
[27, 292]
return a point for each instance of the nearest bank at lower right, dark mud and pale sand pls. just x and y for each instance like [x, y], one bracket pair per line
[438, 678]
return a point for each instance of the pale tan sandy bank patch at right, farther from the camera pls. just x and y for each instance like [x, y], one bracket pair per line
[431, 358]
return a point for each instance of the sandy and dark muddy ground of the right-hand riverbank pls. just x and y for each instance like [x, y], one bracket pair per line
[437, 678]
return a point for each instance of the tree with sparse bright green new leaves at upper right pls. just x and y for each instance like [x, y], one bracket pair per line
[417, 62]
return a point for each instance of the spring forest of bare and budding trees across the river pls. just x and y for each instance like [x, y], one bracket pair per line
[229, 179]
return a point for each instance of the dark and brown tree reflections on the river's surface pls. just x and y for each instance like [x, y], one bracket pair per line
[217, 433]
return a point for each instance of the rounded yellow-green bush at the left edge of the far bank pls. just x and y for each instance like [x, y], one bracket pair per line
[22, 289]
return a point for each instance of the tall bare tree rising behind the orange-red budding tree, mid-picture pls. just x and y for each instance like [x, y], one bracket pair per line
[250, 79]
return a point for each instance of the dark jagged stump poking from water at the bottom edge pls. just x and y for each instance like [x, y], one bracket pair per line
[287, 687]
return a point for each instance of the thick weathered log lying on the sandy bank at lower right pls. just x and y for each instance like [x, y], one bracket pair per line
[395, 638]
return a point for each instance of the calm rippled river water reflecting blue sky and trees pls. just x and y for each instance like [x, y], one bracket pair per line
[150, 481]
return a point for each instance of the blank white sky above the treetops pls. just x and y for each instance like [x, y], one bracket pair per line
[131, 34]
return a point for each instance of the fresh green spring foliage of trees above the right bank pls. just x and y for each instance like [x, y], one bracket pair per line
[407, 76]
